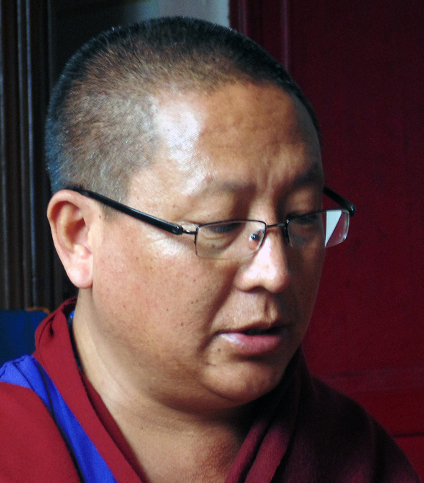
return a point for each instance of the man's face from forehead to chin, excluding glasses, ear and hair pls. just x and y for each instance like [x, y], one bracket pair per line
[196, 333]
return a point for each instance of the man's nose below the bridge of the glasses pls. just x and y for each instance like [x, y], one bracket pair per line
[268, 268]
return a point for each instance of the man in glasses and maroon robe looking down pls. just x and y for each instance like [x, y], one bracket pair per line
[181, 361]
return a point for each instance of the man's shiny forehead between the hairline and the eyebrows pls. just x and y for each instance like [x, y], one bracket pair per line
[240, 136]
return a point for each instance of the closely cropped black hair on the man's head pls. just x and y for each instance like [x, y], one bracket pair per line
[100, 123]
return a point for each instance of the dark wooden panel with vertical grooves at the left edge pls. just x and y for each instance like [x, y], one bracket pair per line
[26, 269]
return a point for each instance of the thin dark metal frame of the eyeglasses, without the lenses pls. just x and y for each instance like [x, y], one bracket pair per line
[176, 229]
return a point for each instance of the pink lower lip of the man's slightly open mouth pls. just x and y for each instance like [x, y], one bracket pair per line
[254, 345]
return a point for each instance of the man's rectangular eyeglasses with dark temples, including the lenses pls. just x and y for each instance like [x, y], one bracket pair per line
[236, 239]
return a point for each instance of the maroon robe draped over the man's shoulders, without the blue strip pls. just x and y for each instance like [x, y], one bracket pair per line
[304, 430]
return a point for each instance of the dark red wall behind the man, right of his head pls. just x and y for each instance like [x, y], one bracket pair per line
[362, 66]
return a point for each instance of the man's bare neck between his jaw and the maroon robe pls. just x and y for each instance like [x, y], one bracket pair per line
[171, 442]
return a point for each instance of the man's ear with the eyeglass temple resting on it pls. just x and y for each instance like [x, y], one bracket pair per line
[70, 216]
